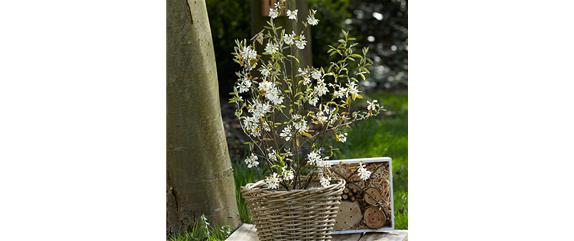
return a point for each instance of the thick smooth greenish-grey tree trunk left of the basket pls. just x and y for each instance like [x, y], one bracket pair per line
[199, 177]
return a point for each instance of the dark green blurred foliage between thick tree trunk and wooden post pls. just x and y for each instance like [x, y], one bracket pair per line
[229, 20]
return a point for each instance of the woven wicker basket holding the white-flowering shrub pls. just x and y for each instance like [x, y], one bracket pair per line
[307, 214]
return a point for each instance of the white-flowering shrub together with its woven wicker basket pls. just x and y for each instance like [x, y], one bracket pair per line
[299, 200]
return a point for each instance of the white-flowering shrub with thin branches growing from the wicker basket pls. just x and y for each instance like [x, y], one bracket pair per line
[302, 99]
